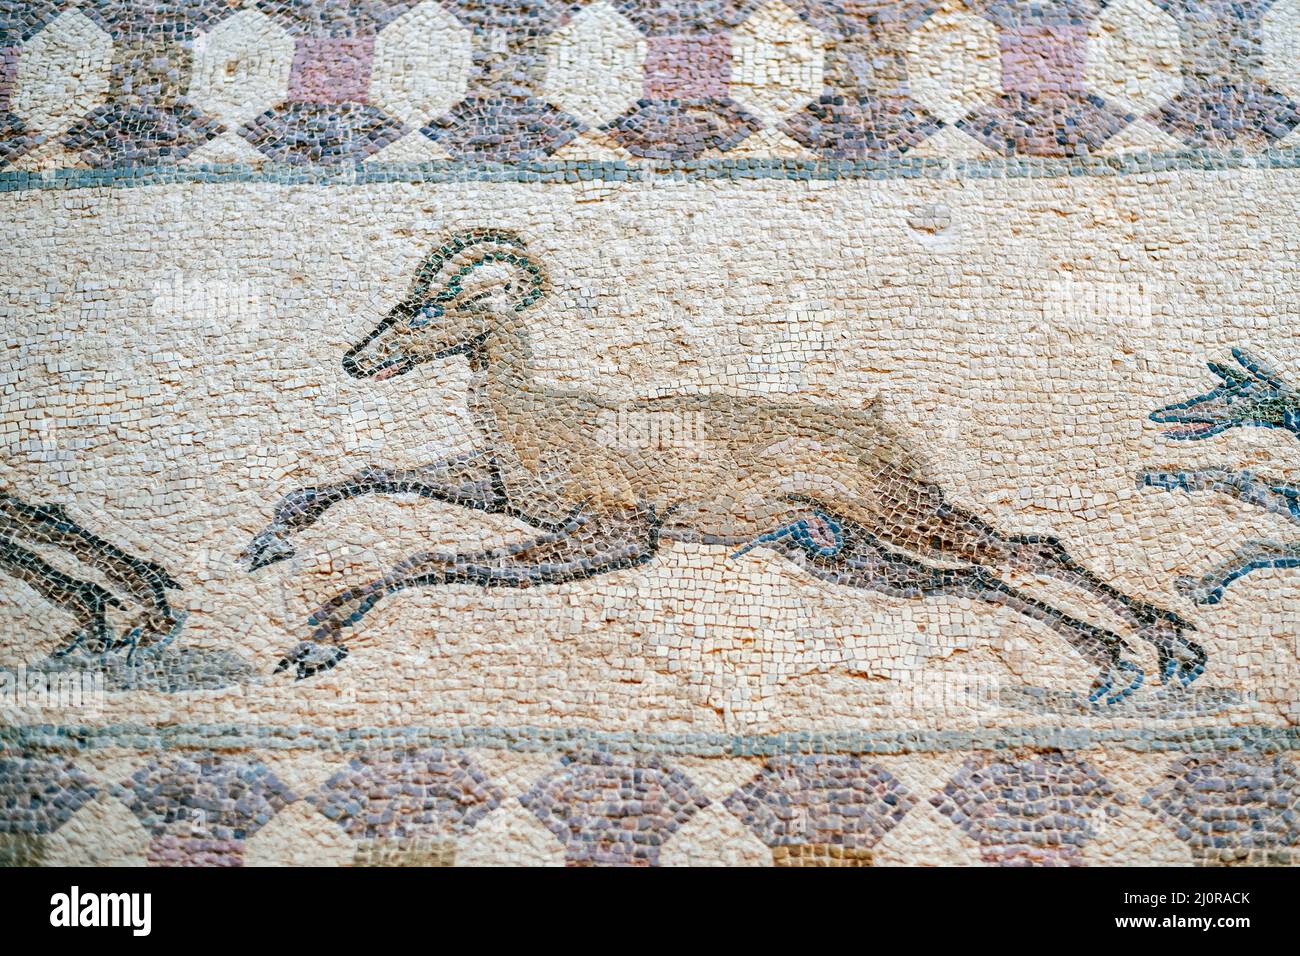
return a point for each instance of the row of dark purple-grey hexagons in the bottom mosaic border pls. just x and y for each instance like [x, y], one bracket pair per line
[424, 806]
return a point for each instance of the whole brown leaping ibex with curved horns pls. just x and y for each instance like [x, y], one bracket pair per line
[834, 490]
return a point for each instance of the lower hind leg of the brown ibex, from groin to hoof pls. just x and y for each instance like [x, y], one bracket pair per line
[863, 561]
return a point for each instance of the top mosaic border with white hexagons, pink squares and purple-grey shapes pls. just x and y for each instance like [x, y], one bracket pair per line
[123, 84]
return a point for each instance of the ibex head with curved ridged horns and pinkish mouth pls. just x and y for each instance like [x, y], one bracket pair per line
[463, 292]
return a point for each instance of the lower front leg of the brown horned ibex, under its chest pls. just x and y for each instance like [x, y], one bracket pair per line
[588, 546]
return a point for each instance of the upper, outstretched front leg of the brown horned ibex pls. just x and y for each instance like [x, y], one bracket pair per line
[470, 481]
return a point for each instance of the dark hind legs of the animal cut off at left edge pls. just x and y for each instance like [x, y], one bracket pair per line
[141, 585]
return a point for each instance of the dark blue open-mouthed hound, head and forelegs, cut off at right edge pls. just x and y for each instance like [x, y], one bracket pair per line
[1250, 395]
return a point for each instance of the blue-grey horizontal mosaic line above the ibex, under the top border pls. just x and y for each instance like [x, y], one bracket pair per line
[583, 171]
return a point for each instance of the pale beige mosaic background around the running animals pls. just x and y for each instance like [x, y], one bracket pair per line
[1019, 332]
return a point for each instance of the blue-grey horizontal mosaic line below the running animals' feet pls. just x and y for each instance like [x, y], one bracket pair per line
[538, 739]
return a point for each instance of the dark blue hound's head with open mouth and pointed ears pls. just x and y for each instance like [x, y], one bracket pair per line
[1250, 395]
